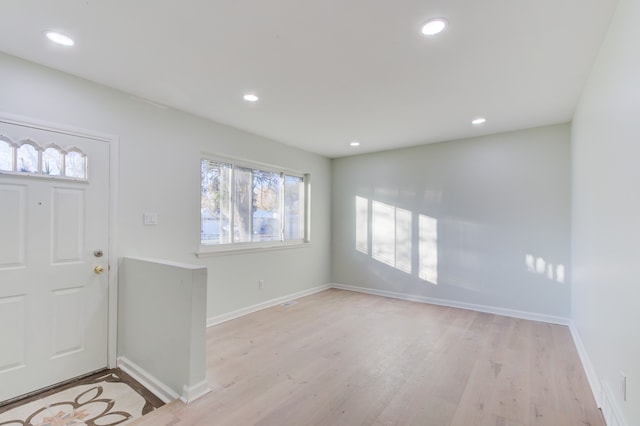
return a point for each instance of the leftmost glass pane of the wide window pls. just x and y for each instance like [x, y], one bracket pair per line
[215, 204]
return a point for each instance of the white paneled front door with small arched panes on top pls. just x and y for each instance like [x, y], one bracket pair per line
[54, 233]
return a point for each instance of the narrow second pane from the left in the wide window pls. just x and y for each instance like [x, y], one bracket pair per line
[242, 204]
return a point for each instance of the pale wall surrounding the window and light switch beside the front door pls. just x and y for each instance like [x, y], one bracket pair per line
[160, 172]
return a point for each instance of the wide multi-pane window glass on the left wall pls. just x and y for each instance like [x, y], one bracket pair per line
[242, 205]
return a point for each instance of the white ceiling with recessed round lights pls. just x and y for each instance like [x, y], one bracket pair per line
[328, 71]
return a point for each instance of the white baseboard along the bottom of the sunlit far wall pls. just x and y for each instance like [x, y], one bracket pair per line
[461, 305]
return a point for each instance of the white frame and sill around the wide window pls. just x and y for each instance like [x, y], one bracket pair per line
[206, 250]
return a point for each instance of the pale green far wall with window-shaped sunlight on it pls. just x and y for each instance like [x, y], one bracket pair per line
[497, 200]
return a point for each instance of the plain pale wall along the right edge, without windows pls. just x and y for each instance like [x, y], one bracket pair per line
[606, 212]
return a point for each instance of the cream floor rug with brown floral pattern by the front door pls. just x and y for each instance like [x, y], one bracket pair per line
[98, 401]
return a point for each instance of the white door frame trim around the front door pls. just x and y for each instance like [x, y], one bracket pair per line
[114, 145]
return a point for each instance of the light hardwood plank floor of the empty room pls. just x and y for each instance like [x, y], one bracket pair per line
[344, 358]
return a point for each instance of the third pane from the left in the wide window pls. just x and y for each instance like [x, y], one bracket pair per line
[266, 202]
